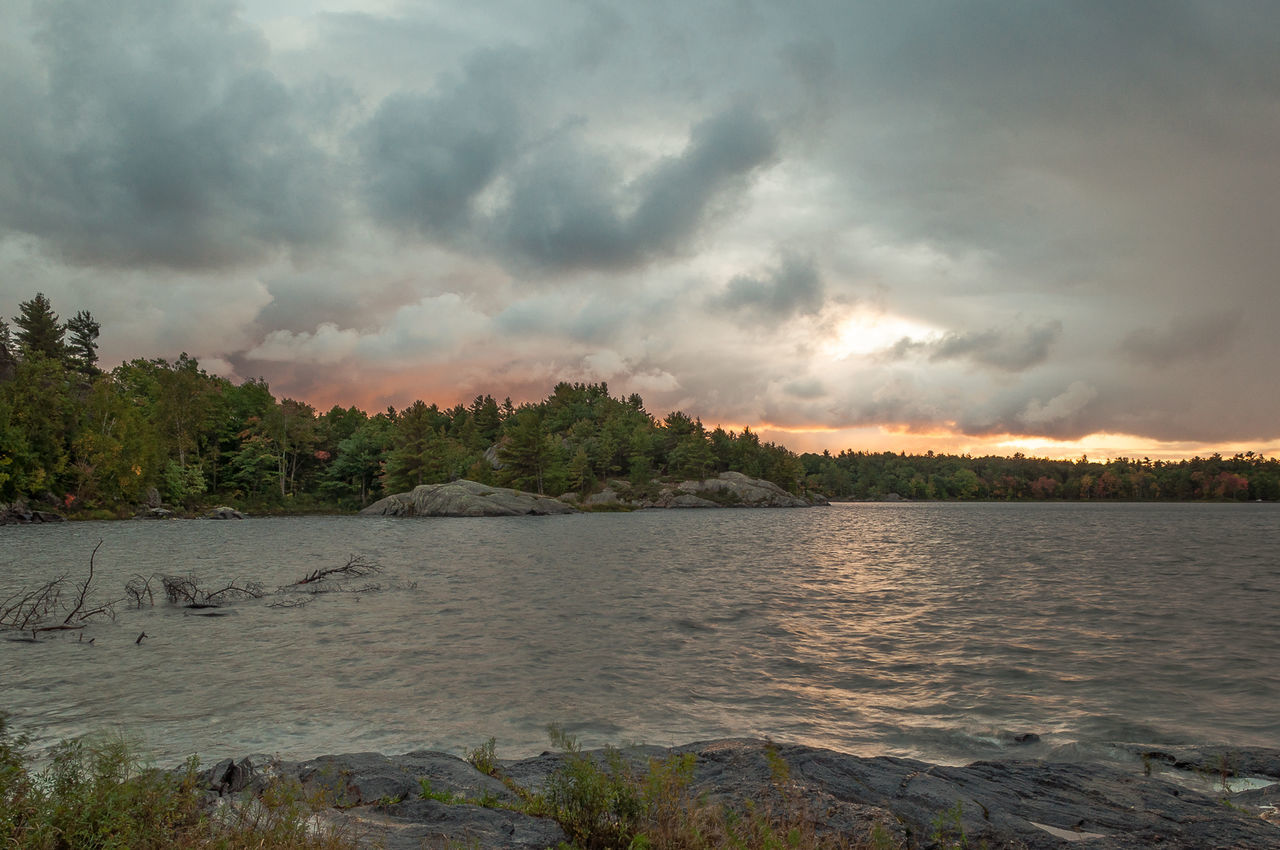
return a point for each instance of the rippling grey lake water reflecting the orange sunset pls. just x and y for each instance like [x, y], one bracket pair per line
[931, 630]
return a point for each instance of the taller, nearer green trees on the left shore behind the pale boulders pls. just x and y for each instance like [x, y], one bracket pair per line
[108, 441]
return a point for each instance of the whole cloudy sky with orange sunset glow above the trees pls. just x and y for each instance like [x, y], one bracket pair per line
[964, 227]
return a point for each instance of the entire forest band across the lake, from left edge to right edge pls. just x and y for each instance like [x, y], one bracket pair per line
[103, 444]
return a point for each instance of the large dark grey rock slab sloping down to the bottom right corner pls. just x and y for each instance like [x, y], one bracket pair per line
[1005, 805]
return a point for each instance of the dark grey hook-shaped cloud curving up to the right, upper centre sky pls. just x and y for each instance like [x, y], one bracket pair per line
[570, 208]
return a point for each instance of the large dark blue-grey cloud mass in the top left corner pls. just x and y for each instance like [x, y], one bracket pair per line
[152, 134]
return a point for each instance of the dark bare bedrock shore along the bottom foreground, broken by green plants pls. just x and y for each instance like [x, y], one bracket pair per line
[1171, 799]
